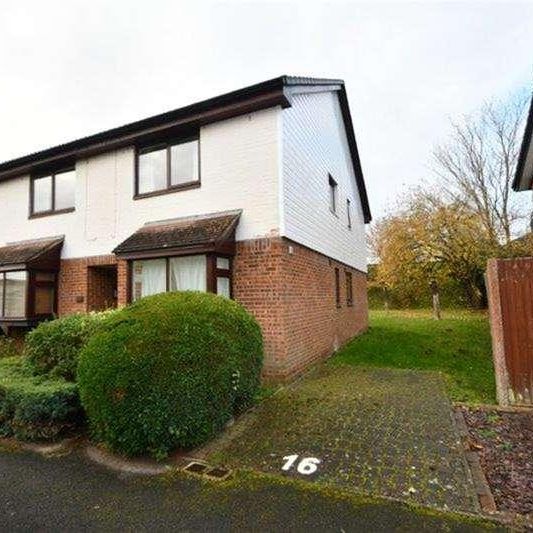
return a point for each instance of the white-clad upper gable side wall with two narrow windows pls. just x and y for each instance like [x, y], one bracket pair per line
[315, 145]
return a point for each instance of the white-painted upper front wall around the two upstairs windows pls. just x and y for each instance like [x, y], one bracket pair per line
[239, 170]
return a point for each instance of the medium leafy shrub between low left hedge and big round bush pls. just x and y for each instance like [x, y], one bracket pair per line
[53, 347]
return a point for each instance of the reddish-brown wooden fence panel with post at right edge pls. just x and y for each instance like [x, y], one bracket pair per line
[510, 294]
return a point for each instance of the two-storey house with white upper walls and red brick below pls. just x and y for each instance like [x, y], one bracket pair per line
[256, 195]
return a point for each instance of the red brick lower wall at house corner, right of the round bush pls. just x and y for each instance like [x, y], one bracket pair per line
[291, 291]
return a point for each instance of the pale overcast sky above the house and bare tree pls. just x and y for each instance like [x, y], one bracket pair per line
[73, 68]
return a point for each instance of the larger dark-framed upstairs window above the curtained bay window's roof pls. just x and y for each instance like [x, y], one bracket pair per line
[168, 167]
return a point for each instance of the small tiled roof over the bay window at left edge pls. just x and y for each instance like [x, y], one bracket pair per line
[39, 253]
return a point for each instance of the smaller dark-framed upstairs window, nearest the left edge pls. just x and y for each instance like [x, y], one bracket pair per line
[53, 193]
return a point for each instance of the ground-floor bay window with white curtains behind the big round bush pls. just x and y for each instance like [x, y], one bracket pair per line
[183, 273]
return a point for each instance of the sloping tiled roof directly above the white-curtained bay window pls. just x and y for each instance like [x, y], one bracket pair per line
[214, 232]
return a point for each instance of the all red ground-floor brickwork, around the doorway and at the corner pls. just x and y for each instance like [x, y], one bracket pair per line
[289, 288]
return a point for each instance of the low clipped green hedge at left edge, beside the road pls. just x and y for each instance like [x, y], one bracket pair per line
[35, 408]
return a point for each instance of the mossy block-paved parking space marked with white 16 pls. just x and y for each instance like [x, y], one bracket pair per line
[379, 431]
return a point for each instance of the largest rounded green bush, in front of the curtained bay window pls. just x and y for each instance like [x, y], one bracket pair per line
[169, 371]
